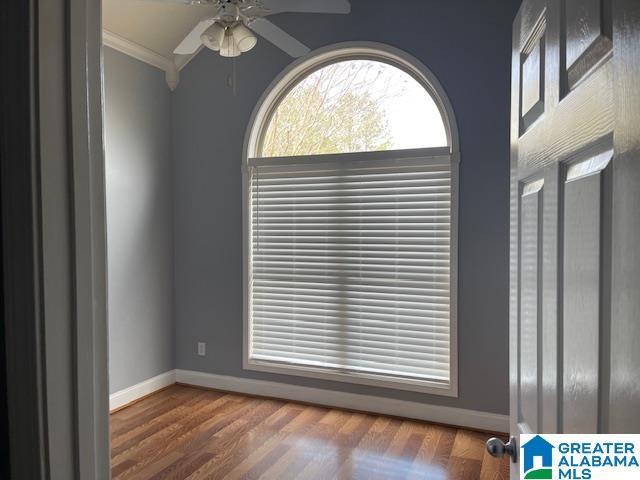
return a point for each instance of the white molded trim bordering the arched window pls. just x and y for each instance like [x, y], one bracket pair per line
[257, 125]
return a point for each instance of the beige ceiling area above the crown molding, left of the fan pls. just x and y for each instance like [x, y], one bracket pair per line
[154, 24]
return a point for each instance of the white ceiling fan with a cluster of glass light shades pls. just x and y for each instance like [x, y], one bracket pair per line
[230, 30]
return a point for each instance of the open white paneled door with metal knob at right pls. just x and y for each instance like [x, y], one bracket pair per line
[575, 219]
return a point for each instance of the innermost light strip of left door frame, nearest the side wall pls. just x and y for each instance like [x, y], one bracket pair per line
[87, 219]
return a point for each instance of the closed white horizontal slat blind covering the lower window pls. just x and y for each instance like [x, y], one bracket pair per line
[350, 265]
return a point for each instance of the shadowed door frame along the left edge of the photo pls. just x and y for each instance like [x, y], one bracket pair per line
[53, 239]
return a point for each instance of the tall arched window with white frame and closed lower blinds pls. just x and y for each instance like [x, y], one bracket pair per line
[351, 234]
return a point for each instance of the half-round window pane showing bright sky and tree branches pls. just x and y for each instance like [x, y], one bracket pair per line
[354, 106]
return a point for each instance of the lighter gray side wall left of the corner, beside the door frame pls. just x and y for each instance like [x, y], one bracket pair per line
[139, 193]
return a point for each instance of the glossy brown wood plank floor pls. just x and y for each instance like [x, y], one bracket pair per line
[185, 432]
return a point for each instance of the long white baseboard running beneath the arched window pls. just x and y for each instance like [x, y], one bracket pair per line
[387, 406]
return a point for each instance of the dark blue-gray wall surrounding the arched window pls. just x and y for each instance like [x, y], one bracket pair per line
[467, 45]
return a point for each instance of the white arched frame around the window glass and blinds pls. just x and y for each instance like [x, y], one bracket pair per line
[258, 125]
